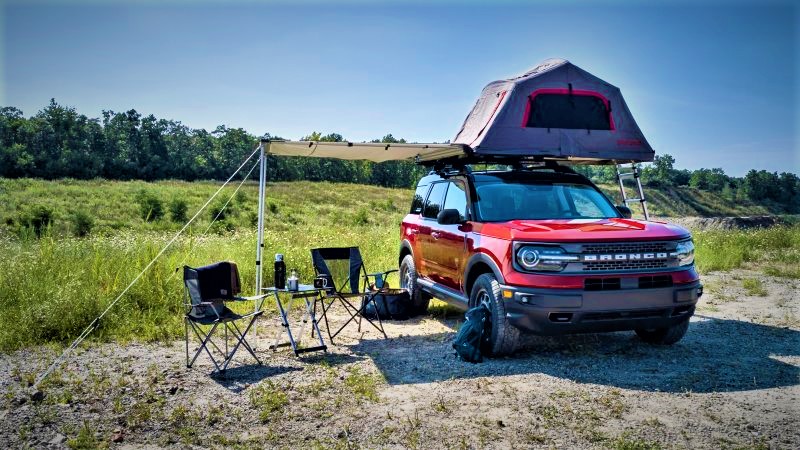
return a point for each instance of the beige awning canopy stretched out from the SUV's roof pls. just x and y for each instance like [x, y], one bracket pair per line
[369, 151]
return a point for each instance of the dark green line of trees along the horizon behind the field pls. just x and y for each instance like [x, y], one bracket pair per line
[58, 142]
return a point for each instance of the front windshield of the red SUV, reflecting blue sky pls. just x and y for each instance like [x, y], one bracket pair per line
[501, 200]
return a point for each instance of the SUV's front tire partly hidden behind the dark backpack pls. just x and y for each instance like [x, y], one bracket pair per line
[504, 337]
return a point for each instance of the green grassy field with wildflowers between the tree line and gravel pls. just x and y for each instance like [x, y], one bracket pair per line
[51, 287]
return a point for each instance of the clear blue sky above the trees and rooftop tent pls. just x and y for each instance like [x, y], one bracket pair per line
[714, 84]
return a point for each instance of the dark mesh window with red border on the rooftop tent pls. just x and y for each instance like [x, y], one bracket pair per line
[582, 112]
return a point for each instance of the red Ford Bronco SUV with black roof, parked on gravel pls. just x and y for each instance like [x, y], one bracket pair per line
[548, 253]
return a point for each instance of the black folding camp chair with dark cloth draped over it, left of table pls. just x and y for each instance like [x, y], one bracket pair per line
[206, 289]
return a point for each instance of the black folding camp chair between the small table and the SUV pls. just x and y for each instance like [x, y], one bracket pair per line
[347, 280]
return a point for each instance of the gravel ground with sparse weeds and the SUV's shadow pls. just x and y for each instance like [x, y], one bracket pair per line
[732, 382]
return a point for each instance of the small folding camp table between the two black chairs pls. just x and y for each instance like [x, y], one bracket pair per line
[304, 292]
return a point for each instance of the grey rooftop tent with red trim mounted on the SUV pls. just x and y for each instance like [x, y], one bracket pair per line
[555, 110]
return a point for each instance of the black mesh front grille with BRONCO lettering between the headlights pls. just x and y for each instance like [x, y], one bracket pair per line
[625, 248]
